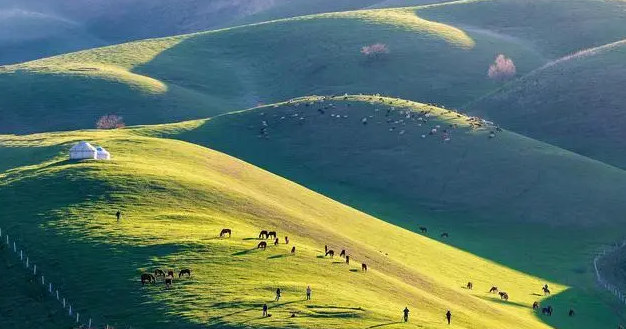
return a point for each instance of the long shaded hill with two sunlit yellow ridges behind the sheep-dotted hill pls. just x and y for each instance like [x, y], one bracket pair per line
[200, 75]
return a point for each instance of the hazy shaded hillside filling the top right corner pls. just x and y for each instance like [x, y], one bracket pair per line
[556, 28]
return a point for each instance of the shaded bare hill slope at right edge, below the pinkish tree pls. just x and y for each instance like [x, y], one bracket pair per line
[576, 102]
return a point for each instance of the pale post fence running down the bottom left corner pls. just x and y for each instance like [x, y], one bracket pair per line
[24, 259]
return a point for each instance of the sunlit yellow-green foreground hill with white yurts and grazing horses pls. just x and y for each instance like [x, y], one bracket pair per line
[176, 197]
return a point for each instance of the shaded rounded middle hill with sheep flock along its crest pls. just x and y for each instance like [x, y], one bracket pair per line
[487, 193]
